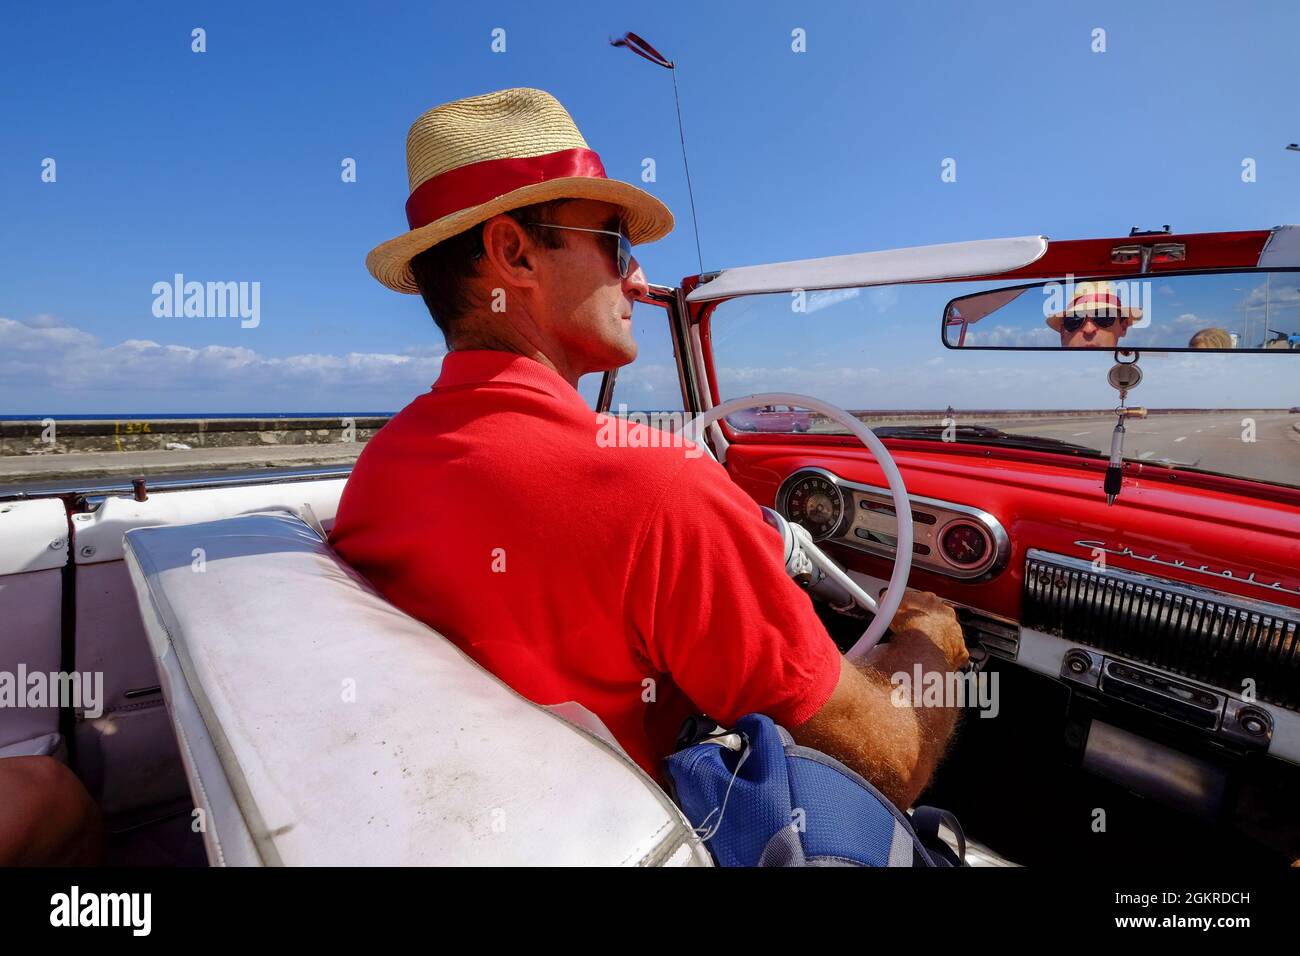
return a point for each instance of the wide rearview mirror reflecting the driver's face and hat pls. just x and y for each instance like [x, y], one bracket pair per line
[1220, 312]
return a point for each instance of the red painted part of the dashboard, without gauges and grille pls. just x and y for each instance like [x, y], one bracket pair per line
[1221, 534]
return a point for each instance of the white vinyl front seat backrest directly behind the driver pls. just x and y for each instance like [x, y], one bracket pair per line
[319, 725]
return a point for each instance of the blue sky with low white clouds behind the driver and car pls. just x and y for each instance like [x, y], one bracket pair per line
[226, 167]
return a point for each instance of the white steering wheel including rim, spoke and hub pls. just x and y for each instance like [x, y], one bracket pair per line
[803, 542]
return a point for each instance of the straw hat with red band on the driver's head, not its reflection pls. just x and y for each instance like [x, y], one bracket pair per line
[474, 159]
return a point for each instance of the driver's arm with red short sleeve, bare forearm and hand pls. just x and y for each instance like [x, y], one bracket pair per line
[739, 637]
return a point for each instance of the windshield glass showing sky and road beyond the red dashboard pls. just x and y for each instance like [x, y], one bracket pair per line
[877, 352]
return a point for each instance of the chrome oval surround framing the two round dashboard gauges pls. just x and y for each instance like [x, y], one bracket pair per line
[950, 513]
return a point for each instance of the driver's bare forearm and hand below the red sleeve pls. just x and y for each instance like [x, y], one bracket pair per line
[896, 749]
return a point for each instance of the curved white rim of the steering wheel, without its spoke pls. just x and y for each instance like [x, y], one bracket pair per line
[903, 507]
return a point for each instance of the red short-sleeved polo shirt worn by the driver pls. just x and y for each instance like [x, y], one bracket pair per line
[627, 576]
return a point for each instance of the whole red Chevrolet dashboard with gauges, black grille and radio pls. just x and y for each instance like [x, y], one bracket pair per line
[1178, 604]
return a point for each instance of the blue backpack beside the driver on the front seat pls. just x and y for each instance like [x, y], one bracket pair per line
[759, 799]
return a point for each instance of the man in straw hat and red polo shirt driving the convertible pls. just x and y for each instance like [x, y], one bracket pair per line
[638, 581]
